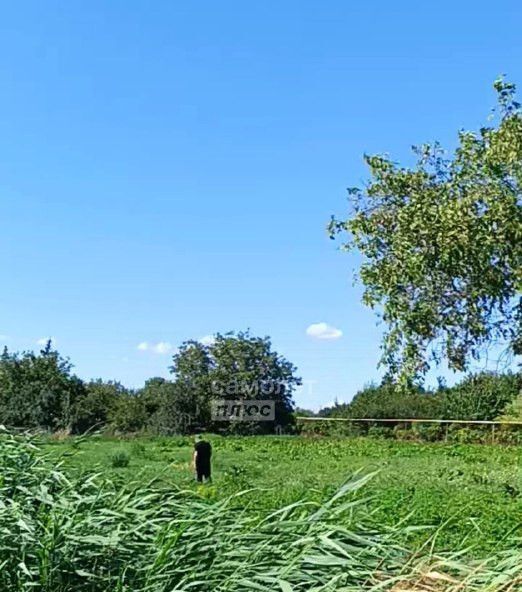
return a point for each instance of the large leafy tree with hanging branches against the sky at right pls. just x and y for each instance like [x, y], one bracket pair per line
[441, 245]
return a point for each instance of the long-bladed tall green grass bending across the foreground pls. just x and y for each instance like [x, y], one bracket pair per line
[60, 533]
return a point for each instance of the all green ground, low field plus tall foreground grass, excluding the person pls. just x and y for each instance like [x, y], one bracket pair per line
[289, 514]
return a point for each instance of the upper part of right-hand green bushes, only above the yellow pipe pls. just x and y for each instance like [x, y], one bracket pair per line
[482, 396]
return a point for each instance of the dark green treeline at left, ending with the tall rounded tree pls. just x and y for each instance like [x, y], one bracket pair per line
[39, 391]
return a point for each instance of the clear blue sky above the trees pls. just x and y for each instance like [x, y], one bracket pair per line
[167, 169]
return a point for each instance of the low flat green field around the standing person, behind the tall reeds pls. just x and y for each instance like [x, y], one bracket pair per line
[467, 496]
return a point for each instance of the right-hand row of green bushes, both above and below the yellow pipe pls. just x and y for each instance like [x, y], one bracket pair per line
[483, 396]
